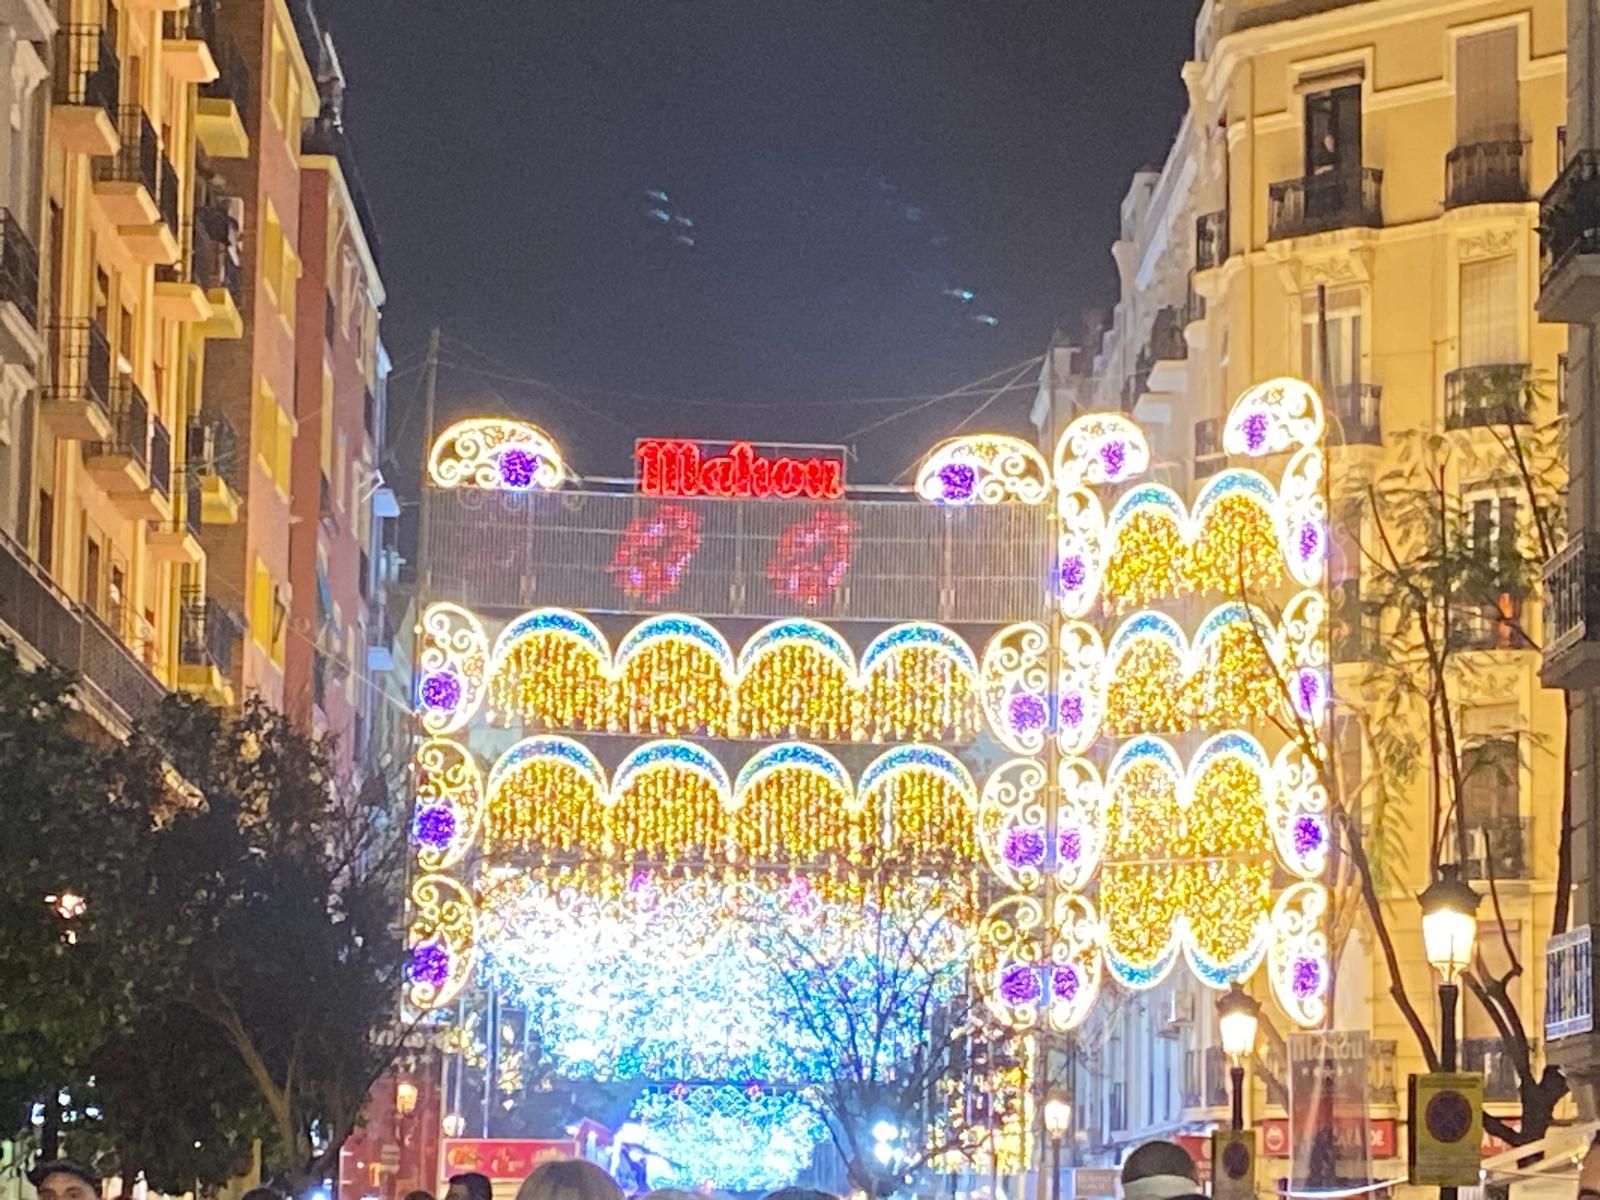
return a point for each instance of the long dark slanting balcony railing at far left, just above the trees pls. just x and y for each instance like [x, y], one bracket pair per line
[71, 638]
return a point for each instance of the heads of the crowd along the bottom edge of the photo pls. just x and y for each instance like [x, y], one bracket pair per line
[1158, 1170]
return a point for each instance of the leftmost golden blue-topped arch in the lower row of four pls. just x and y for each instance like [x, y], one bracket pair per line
[546, 793]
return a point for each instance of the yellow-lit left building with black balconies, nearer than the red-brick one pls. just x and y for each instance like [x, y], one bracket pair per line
[127, 305]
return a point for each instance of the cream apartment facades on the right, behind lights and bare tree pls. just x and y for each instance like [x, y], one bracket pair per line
[1353, 201]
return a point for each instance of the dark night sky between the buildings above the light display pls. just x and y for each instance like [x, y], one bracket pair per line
[836, 175]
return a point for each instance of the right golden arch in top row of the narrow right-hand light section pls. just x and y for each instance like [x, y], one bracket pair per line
[1234, 535]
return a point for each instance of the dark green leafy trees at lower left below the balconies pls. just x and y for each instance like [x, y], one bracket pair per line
[238, 950]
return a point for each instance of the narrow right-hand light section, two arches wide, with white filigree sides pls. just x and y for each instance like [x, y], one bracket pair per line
[1164, 860]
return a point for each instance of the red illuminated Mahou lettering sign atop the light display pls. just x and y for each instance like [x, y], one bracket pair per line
[676, 468]
